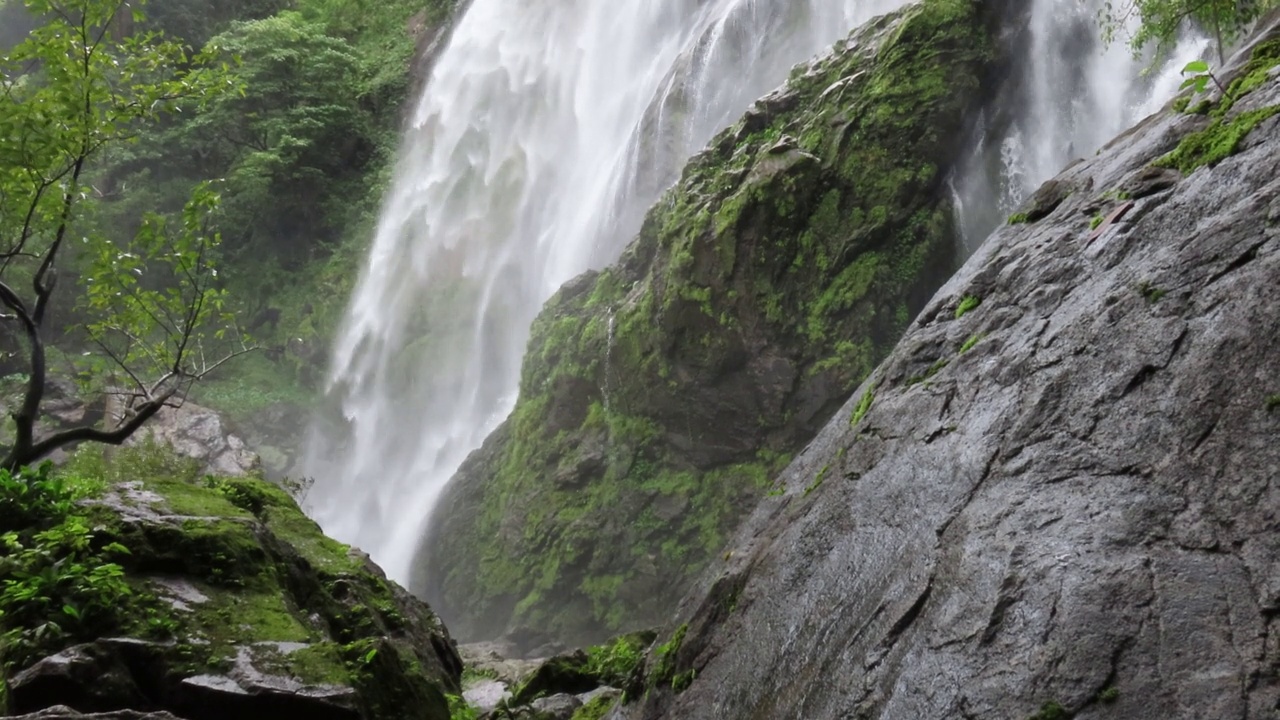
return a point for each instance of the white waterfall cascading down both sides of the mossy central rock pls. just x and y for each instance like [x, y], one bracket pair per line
[545, 133]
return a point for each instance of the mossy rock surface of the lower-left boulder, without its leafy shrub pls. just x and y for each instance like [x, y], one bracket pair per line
[239, 605]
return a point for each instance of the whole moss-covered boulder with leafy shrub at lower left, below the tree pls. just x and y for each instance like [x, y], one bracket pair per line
[140, 585]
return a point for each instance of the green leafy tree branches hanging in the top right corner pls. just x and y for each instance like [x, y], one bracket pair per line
[1162, 21]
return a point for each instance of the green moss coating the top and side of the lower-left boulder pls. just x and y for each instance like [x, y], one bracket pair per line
[255, 587]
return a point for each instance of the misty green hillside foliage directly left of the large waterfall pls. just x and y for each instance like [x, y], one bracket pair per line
[305, 149]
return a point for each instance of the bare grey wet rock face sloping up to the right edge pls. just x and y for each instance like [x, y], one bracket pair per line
[1058, 498]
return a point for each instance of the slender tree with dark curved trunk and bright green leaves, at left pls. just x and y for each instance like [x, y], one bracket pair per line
[150, 309]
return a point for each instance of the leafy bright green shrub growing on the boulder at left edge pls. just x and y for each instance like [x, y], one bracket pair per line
[58, 581]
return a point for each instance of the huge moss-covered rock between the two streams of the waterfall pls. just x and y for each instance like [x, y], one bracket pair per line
[661, 395]
